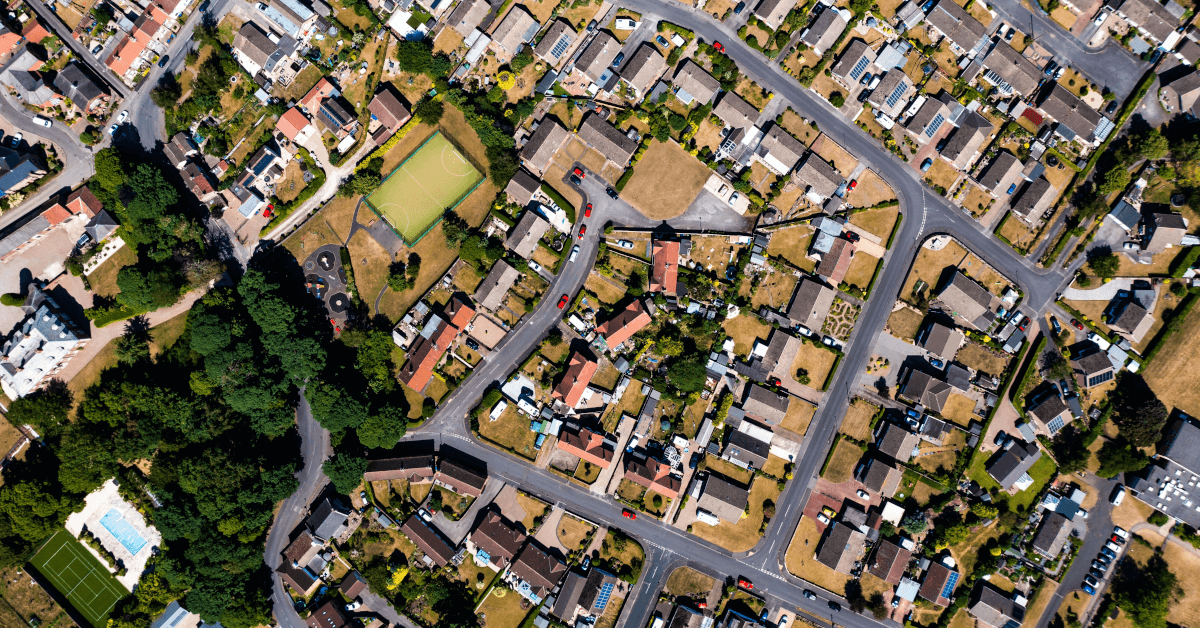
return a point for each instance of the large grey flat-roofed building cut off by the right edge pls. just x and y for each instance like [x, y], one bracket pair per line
[1169, 483]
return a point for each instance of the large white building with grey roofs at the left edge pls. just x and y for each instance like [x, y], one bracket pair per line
[41, 346]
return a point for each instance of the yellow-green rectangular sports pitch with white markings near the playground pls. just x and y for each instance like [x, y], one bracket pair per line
[417, 194]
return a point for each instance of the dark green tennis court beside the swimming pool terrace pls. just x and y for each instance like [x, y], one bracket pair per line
[80, 578]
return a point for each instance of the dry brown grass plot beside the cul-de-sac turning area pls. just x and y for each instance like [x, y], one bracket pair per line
[665, 182]
